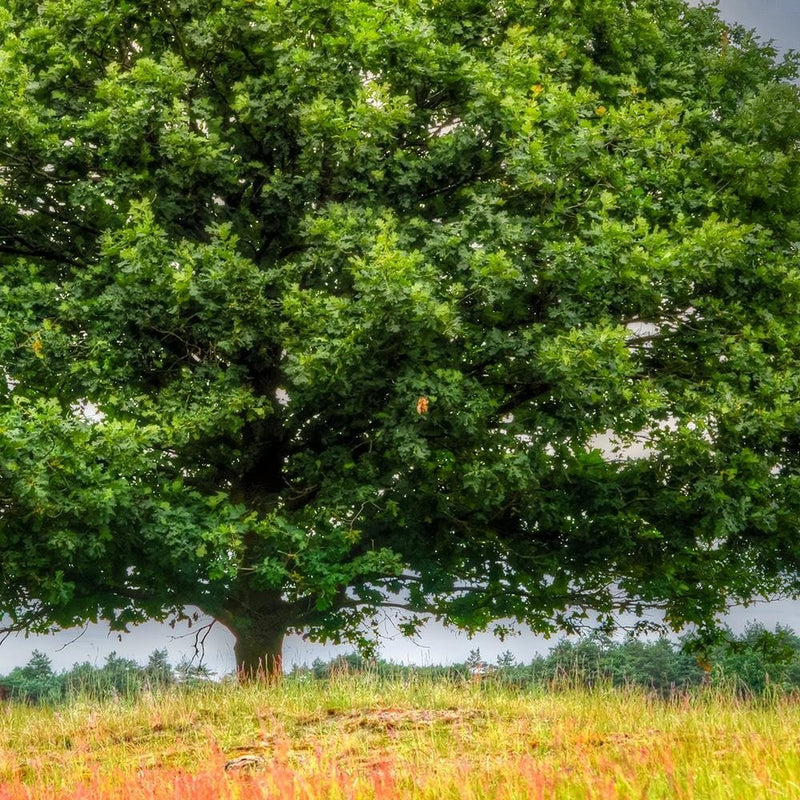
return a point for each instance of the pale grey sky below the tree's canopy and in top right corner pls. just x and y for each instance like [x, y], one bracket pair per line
[778, 20]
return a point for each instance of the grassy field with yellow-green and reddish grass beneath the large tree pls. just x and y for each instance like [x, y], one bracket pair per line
[357, 737]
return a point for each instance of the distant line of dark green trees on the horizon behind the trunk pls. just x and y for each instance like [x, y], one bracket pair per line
[753, 662]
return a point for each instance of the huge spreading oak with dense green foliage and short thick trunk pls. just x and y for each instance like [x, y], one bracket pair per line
[315, 308]
